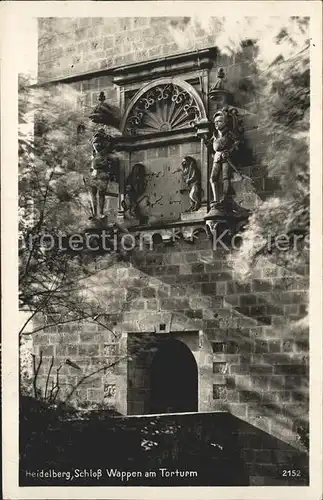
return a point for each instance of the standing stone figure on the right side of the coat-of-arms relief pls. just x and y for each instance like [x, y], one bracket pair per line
[225, 143]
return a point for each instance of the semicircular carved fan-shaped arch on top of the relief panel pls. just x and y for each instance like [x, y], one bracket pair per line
[164, 105]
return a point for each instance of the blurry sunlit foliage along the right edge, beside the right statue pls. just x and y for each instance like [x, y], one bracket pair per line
[284, 112]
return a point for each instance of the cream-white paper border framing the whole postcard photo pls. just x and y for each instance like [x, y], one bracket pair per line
[9, 12]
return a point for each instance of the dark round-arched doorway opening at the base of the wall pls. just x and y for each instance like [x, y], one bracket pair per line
[174, 379]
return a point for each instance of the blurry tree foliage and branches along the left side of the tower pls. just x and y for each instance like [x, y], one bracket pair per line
[54, 158]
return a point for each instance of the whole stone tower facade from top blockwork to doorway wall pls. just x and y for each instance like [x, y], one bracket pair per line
[176, 309]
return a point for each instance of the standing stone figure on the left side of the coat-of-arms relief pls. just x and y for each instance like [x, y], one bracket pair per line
[104, 169]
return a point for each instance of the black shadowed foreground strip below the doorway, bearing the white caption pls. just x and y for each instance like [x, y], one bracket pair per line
[219, 449]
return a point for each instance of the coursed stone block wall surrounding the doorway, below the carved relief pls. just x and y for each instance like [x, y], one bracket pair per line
[253, 358]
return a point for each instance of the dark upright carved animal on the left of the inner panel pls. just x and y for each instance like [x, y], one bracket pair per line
[134, 188]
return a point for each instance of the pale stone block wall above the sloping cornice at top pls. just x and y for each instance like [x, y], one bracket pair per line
[70, 46]
